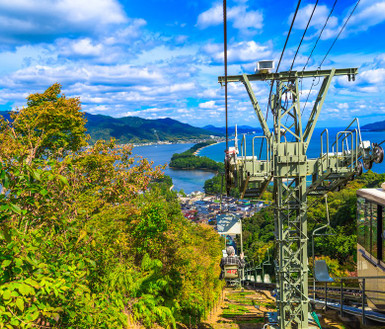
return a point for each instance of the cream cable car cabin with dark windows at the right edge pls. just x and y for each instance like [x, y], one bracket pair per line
[371, 243]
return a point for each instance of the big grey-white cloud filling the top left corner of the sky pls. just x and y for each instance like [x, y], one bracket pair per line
[38, 20]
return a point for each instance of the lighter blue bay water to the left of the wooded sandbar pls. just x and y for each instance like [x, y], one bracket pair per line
[186, 180]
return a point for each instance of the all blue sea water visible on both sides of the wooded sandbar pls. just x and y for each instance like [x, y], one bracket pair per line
[193, 180]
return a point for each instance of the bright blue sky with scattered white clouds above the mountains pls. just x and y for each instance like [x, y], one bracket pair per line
[159, 58]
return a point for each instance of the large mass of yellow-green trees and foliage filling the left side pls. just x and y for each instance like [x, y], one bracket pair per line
[91, 237]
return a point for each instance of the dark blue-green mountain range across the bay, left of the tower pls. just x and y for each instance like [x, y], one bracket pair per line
[138, 130]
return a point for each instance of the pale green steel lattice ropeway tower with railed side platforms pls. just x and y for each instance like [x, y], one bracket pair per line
[295, 177]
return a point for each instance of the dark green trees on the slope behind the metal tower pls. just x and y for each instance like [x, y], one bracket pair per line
[338, 248]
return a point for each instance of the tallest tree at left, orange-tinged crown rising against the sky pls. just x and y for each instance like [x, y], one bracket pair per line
[50, 124]
